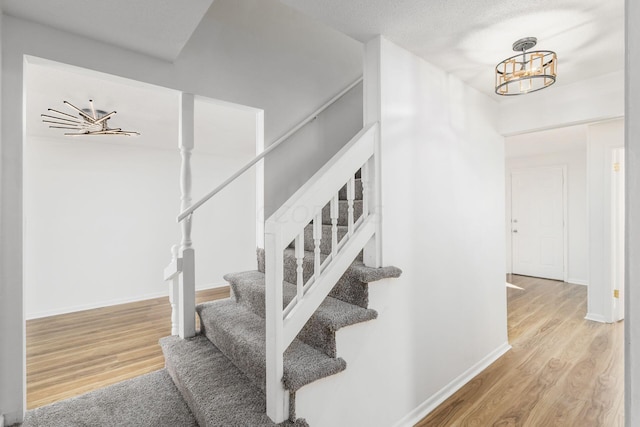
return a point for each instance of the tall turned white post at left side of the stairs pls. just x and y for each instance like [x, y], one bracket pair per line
[187, 293]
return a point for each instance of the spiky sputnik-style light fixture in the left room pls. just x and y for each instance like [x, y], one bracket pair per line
[88, 122]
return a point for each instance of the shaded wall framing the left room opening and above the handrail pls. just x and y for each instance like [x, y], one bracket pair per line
[252, 52]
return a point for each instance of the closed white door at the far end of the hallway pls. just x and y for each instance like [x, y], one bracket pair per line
[537, 222]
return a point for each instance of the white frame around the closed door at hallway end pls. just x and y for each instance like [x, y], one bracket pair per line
[565, 218]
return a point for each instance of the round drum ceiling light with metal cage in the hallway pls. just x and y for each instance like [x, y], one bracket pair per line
[527, 71]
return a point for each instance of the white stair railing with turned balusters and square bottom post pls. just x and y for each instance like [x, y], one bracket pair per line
[288, 224]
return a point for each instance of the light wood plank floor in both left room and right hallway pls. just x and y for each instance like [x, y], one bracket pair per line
[562, 371]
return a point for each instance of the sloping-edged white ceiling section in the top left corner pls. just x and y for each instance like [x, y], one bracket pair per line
[159, 28]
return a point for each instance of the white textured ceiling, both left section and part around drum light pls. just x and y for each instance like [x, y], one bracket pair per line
[464, 37]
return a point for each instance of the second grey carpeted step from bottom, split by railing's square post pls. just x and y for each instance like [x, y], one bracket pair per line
[240, 335]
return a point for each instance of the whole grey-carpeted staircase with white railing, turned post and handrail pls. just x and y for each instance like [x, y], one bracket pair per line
[277, 332]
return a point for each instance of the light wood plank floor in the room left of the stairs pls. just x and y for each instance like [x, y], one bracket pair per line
[74, 353]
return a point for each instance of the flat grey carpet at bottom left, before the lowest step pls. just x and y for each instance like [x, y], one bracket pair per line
[151, 400]
